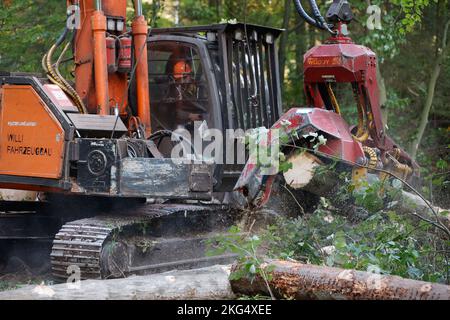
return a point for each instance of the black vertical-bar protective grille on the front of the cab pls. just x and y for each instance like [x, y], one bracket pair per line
[254, 80]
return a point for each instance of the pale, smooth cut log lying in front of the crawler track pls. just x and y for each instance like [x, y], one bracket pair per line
[203, 284]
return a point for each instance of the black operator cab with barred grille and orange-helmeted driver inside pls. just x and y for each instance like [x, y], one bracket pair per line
[224, 76]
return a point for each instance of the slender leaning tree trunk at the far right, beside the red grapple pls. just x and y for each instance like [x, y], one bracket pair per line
[430, 93]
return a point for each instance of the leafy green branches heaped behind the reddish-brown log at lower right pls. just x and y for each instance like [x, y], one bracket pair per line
[372, 238]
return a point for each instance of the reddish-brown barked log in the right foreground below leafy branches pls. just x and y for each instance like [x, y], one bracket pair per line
[292, 280]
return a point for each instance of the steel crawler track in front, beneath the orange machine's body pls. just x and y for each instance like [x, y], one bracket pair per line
[105, 246]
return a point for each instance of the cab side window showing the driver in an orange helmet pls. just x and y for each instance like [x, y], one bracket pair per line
[178, 86]
